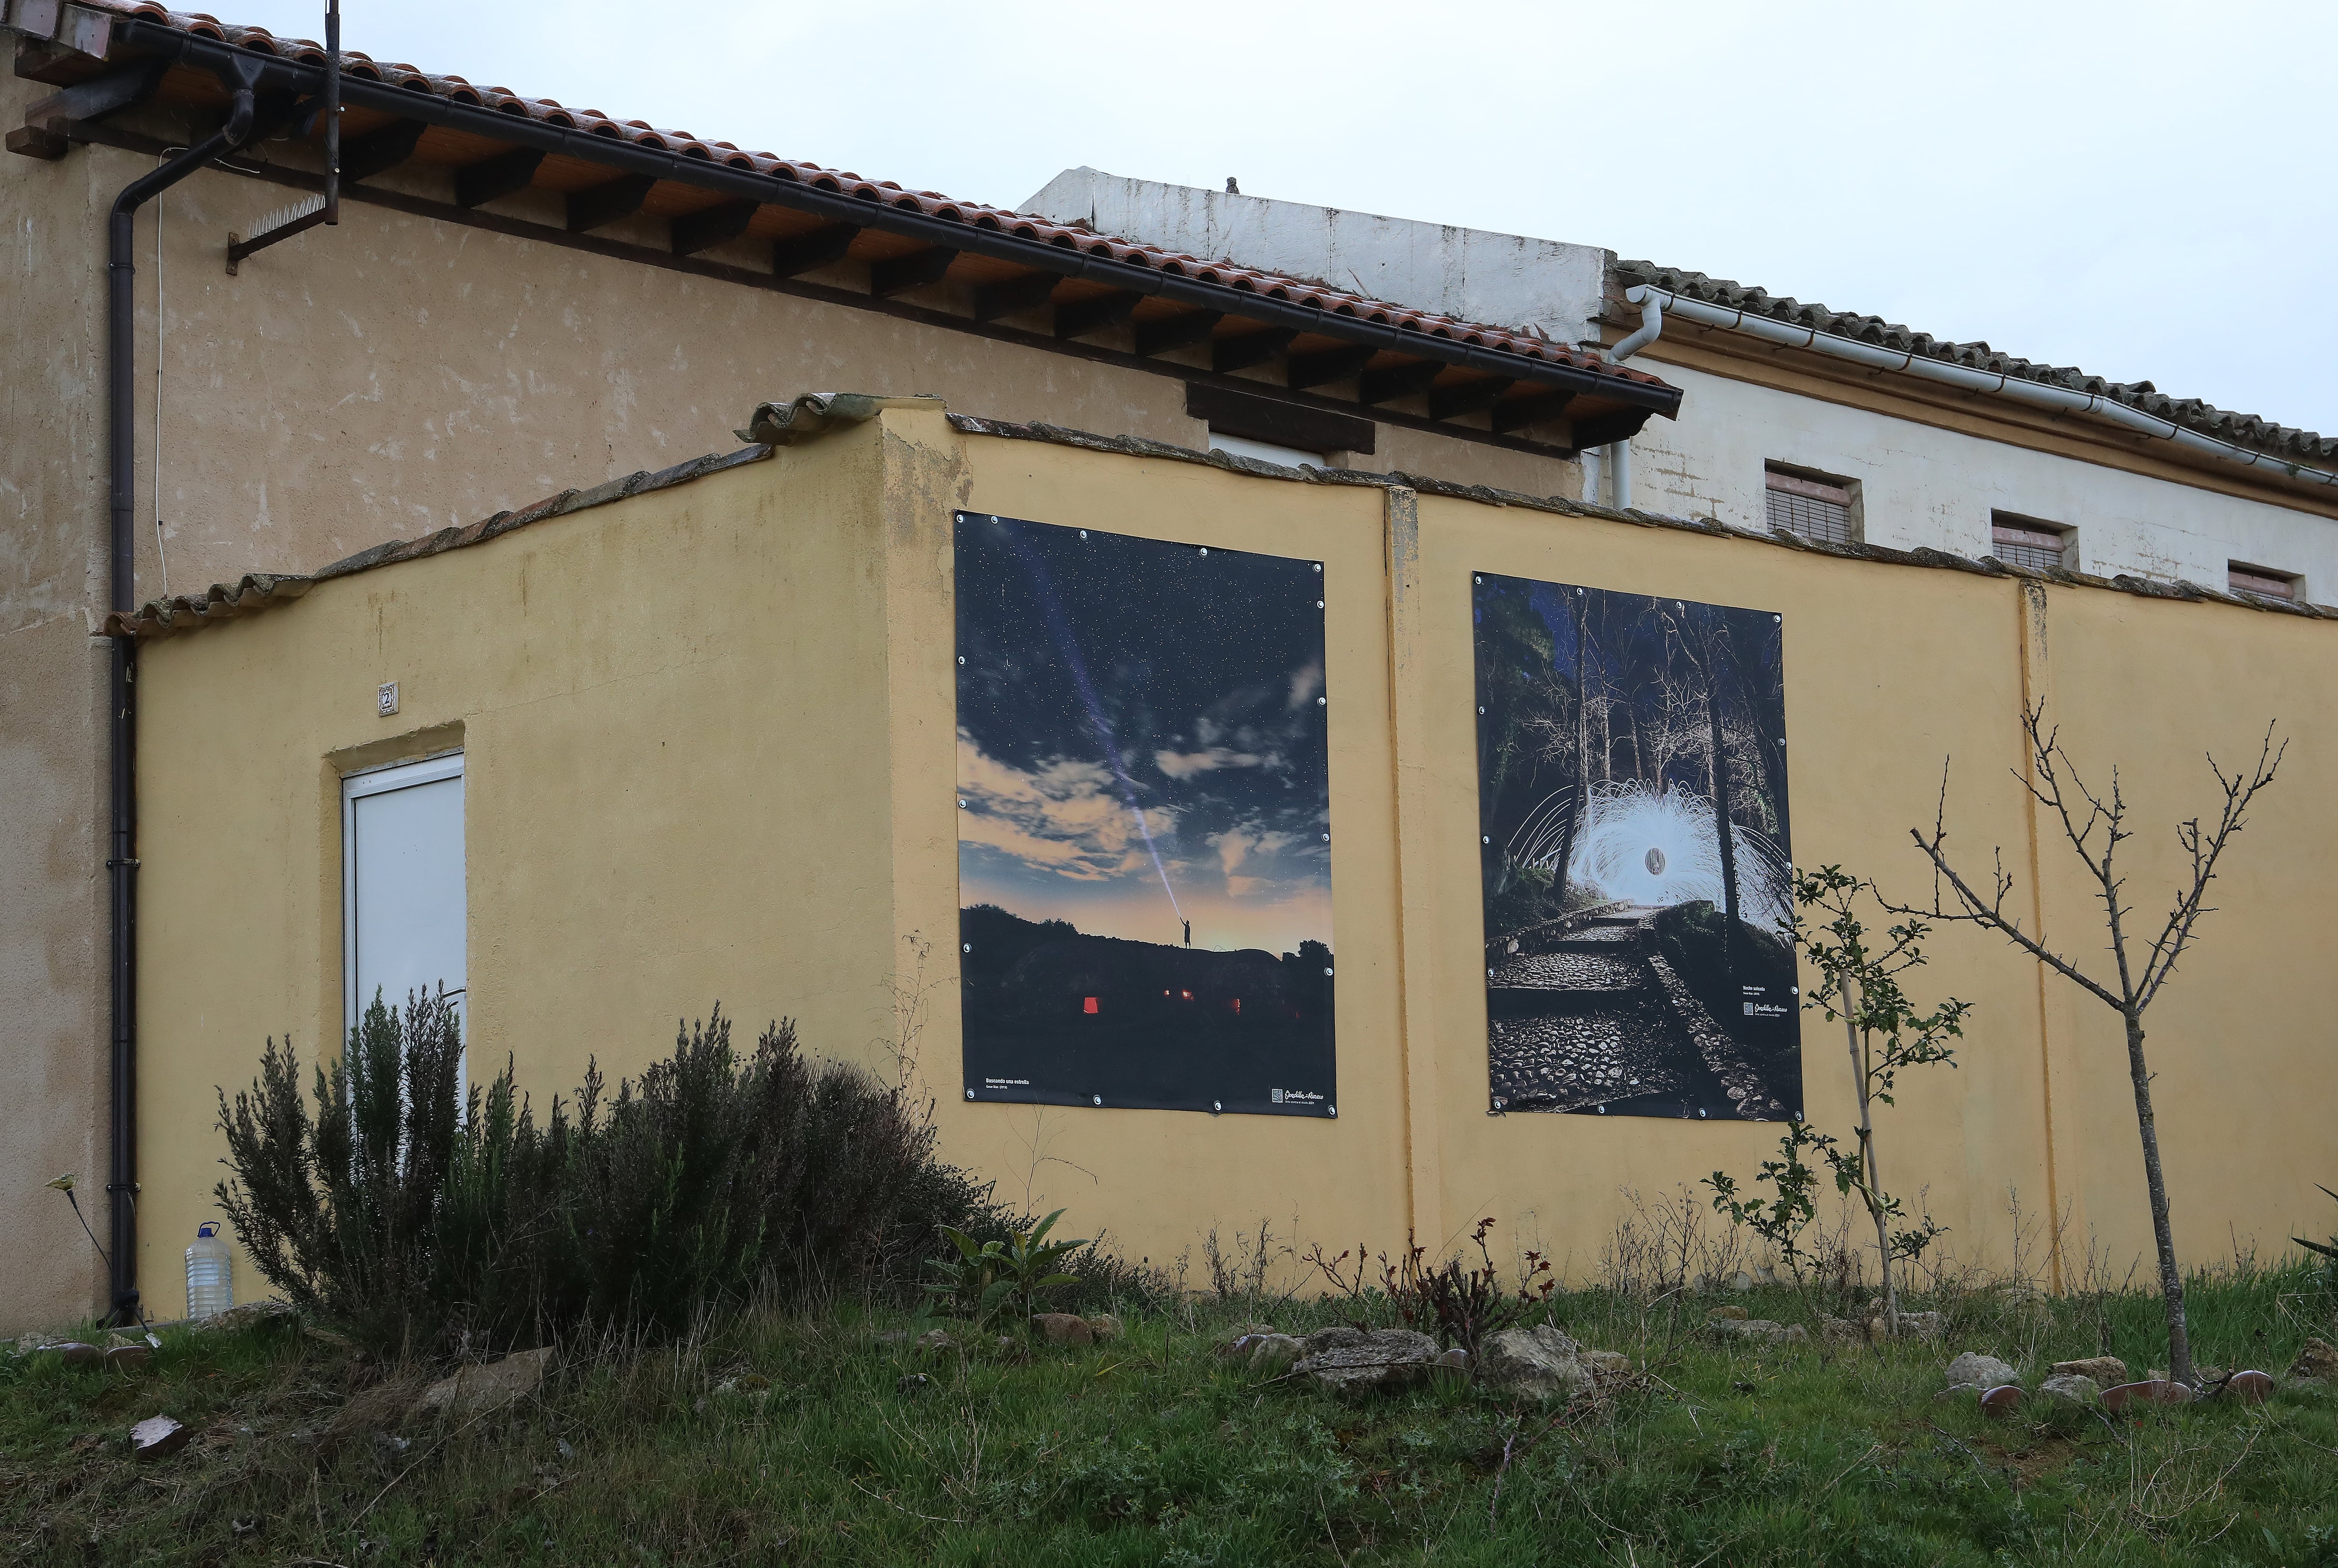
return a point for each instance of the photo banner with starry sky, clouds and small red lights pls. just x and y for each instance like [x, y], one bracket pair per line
[1144, 824]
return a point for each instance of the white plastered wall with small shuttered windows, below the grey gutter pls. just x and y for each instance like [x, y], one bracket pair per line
[1928, 487]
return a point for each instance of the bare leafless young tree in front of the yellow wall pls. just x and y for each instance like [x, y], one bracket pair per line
[2096, 826]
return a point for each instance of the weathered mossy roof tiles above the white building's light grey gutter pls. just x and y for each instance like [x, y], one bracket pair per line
[2190, 412]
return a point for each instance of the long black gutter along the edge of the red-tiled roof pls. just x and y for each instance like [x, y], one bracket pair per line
[946, 233]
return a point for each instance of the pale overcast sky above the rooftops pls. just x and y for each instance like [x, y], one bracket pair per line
[2136, 188]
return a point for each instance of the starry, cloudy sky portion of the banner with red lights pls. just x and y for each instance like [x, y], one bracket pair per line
[1116, 688]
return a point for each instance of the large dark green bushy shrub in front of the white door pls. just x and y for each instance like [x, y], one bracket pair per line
[427, 1216]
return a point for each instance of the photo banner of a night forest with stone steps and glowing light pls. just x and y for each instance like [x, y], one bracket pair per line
[1638, 955]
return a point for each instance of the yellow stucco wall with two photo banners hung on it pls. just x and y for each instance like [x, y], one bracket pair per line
[710, 747]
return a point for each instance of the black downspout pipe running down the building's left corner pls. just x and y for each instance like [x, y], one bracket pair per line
[123, 847]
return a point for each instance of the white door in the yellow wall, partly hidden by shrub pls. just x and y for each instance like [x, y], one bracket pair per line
[401, 882]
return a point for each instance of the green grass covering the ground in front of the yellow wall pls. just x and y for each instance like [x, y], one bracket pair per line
[1151, 1450]
